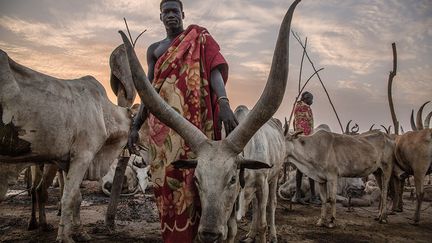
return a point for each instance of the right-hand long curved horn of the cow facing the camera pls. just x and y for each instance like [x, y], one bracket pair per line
[273, 93]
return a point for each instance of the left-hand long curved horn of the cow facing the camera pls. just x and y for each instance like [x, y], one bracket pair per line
[164, 112]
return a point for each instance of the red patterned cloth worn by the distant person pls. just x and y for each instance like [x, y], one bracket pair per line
[303, 118]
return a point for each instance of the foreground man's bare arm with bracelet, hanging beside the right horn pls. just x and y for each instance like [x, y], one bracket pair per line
[226, 116]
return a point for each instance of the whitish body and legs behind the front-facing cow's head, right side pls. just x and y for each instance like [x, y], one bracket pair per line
[268, 146]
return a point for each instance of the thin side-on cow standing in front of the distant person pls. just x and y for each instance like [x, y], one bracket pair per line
[324, 156]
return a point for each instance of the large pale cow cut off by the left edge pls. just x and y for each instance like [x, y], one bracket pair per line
[70, 121]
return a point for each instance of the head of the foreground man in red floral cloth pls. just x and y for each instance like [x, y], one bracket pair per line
[172, 14]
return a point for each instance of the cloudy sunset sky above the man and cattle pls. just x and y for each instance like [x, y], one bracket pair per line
[350, 39]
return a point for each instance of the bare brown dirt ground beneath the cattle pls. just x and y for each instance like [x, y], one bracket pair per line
[137, 221]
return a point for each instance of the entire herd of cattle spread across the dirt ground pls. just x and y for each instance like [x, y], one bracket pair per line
[51, 124]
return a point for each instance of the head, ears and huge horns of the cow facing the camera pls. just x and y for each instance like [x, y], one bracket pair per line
[218, 162]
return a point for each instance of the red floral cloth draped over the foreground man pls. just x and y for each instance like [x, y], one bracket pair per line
[181, 77]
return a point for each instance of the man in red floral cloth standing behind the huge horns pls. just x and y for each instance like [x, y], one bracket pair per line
[188, 71]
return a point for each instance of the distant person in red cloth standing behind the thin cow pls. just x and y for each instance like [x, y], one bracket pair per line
[303, 121]
